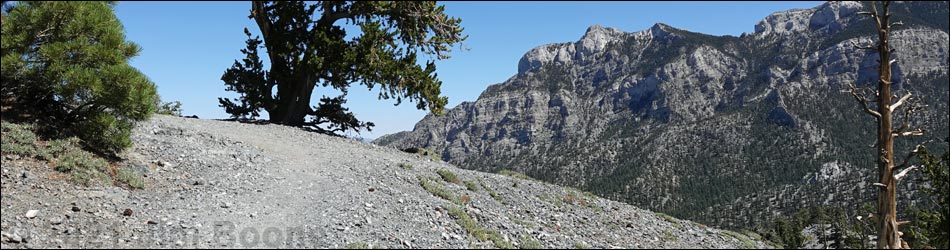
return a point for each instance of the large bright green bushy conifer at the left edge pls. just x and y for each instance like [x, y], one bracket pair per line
[67, 63]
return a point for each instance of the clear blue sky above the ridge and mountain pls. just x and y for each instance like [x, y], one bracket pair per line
[188, 45]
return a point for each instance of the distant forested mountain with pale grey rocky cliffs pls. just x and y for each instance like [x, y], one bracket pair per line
[720, 129]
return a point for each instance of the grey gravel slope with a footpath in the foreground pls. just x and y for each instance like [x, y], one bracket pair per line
[212, 184]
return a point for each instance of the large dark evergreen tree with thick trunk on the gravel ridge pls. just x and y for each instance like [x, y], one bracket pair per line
[307, 46]
